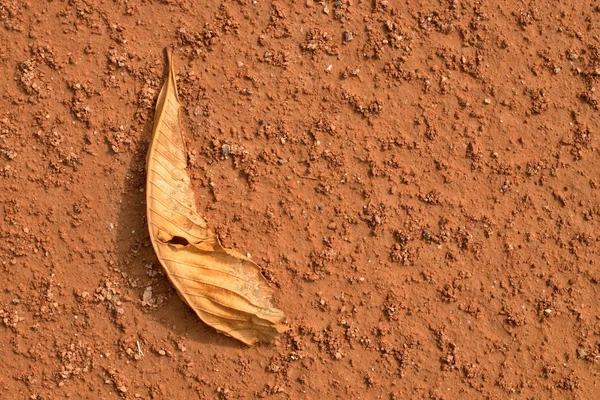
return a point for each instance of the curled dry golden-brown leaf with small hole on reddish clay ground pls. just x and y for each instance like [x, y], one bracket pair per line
[225, 289]
